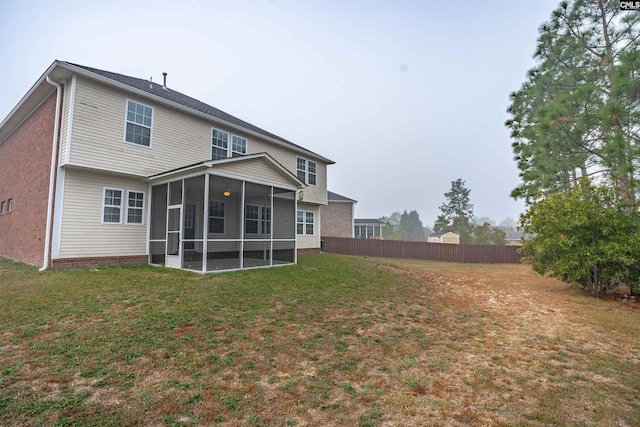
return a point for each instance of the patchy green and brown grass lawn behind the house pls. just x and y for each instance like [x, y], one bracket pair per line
[331, 341]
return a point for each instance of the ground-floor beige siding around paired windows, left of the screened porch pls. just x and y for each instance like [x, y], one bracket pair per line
[82, 231]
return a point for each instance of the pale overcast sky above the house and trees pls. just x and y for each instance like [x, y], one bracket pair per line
[405, 96]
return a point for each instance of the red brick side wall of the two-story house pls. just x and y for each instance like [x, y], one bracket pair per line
[25, 164]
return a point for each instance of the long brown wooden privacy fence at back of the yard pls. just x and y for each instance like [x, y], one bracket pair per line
[489, 254]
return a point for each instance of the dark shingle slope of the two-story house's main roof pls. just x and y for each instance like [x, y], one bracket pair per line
[184, 100]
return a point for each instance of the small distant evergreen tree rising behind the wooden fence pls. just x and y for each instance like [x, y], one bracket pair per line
[457, 212]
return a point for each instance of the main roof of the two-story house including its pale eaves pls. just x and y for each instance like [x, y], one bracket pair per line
[63, 69]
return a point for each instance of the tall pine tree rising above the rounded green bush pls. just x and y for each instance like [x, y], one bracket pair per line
[578, 112]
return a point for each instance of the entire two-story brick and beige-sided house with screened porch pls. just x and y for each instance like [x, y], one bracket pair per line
[98, 167]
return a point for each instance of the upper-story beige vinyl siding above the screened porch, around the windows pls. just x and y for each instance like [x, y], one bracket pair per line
[177, 139]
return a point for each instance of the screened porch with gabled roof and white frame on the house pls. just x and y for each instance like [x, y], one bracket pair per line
[224, 214]
